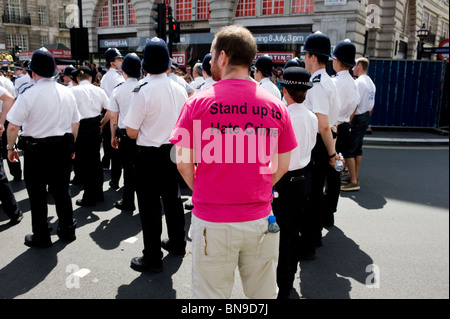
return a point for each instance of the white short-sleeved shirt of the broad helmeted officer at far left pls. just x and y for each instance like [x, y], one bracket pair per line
[48, 109]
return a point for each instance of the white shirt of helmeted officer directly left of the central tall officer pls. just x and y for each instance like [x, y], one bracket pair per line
[121, 99]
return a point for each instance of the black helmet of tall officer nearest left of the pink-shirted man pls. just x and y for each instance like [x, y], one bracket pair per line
[156, 56]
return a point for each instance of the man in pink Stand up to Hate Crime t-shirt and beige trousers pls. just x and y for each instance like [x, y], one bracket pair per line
[240, 138]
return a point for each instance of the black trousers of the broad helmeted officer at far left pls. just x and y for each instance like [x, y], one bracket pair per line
[48, 164]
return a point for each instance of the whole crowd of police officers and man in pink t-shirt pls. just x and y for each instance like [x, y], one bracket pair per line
[249, 142]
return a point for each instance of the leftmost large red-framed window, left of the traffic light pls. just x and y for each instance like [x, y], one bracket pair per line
[117, 13]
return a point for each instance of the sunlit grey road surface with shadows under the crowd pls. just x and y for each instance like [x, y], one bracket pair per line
[395, 229]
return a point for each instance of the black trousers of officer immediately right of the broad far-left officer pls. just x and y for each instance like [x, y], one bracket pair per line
[87, 158]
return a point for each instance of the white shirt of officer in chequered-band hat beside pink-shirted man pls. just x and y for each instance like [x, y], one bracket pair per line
[306, 127]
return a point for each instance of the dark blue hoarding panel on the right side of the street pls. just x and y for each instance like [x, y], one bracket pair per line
[410, 93]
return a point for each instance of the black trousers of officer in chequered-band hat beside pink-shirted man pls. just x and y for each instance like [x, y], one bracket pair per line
[296, 223]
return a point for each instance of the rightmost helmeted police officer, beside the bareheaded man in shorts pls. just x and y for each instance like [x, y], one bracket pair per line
[343, 60]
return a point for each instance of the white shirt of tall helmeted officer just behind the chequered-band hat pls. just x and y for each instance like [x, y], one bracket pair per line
[323, 97]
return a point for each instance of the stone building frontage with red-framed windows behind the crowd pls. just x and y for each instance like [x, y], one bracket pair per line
[383, 29]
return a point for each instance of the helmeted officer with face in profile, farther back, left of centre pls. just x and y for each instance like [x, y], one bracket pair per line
[110, 80]
